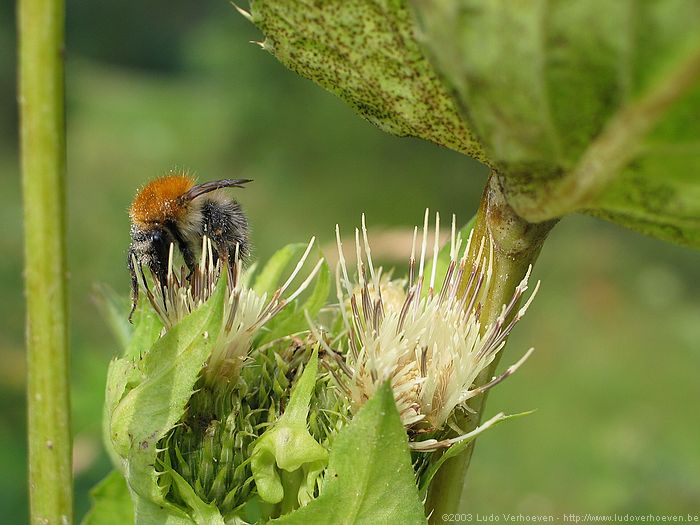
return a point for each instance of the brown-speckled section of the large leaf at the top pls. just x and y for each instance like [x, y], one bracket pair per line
[364, 51]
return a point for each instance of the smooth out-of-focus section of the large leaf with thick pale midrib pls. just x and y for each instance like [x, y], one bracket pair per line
[581, 106]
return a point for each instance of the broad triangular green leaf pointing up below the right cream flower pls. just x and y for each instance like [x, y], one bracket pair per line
[369, 479]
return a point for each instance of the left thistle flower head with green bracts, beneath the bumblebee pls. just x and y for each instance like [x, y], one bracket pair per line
[184, 414]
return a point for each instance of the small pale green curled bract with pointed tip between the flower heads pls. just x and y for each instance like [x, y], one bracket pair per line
[288, 446]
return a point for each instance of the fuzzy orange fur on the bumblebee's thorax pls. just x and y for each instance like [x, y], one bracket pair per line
[158, 201]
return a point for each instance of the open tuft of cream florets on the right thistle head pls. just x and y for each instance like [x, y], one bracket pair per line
[428, 341]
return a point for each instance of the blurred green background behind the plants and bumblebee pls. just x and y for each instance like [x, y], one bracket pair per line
[155, 85]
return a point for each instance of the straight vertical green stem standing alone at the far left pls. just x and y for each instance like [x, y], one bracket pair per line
[42, 120]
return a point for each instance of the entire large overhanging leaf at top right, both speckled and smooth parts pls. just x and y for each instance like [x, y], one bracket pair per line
[578, 106]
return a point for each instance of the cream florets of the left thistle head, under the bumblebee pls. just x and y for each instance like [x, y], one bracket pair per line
[245, 311]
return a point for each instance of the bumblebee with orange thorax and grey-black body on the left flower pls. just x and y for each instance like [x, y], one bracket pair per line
[175, 210]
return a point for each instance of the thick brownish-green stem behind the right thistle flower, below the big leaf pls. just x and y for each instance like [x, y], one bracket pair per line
[516, 245]
